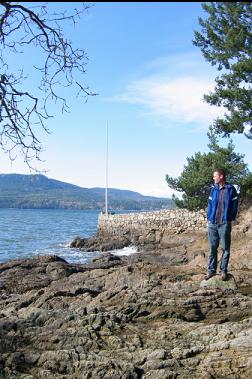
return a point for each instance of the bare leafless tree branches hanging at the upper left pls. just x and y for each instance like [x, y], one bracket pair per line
[21, 112]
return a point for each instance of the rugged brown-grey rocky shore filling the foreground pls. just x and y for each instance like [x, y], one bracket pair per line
[147, 316]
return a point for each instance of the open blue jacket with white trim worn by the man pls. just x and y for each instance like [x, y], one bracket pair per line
[231, 203]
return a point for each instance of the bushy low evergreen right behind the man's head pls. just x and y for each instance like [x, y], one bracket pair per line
[197, 177]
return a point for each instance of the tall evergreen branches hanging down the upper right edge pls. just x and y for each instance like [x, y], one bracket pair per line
[226, 41]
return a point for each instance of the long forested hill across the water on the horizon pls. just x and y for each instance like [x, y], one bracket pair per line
[38, 191]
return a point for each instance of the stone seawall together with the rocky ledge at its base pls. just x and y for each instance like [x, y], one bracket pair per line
[148, 230]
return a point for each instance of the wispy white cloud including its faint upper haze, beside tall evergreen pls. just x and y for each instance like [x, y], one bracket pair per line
[172, 87]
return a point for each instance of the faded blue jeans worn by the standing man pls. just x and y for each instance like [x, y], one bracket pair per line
[217, 233]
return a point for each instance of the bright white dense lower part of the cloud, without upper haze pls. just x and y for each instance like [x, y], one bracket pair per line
[178, 99]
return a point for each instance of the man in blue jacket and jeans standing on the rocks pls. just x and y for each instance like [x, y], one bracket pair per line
[222, 210]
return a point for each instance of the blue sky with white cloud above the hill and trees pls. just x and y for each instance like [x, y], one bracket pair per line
[150, 80]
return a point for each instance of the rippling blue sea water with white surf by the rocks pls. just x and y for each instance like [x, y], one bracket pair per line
[26, 233]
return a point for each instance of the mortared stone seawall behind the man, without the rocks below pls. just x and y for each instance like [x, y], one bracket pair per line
[174, 220]
